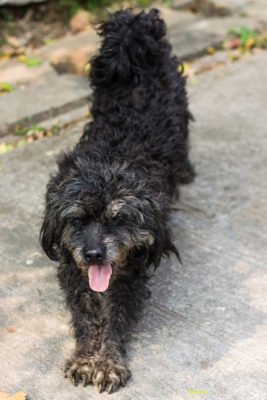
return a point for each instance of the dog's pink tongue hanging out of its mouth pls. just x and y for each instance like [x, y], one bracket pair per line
[99, 277]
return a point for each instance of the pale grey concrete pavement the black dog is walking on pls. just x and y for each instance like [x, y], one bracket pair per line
[204, 329]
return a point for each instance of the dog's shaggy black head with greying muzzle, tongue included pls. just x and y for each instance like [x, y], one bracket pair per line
[106, 218]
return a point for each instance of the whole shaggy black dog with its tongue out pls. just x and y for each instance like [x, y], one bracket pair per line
[107, 206]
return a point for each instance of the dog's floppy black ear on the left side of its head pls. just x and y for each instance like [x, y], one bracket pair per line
[50, 232]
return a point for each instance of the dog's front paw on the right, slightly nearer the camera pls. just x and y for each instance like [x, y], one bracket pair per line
[109, 375]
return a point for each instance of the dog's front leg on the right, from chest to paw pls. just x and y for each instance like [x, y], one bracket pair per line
[120, 309]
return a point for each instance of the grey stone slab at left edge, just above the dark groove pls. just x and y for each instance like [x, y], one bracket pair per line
[55, 96]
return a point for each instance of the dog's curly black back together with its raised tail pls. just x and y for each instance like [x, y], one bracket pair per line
[139, 108]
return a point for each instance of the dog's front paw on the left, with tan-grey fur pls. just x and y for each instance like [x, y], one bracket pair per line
[79, 370]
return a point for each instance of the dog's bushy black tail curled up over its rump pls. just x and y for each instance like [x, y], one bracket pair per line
[133, 47]
